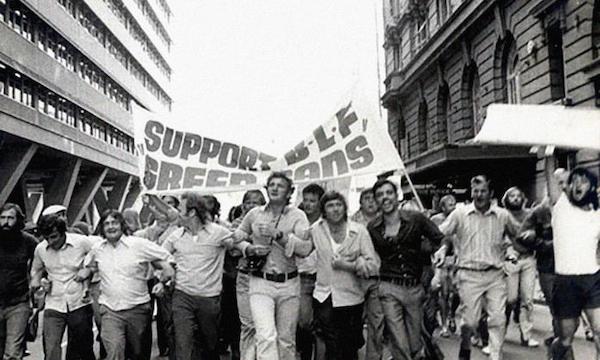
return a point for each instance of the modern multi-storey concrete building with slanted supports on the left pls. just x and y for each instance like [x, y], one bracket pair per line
[70, 71]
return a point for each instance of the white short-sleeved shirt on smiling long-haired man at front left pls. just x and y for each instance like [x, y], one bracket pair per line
[123, 270]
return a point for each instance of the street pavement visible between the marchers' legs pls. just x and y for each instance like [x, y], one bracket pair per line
[512, 348]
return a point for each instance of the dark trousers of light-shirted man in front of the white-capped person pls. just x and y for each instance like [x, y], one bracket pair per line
[79, 327]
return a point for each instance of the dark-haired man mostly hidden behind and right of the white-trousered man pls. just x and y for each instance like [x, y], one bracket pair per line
[307, 267]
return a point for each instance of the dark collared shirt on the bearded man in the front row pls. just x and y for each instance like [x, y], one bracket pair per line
[401, 255]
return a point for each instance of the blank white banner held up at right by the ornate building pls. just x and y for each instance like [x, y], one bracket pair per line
[531, 125]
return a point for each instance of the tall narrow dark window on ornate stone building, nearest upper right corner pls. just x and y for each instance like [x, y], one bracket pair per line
[556, 59]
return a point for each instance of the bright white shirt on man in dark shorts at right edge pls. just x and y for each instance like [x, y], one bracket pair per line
[576, 234]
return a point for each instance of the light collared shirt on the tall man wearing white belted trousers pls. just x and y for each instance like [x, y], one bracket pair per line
[291, 221]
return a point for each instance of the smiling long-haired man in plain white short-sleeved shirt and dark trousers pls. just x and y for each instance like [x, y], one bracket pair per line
[123, 263]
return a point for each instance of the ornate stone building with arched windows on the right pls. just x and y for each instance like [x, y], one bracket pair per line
[447, 60]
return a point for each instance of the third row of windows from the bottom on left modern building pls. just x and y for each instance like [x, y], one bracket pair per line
[79, 10]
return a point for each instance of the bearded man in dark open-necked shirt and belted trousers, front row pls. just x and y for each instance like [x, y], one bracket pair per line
[397, 236]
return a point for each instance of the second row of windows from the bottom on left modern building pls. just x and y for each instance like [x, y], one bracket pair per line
[24, 22]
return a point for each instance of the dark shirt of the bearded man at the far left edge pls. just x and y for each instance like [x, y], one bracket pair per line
[15, 255]
